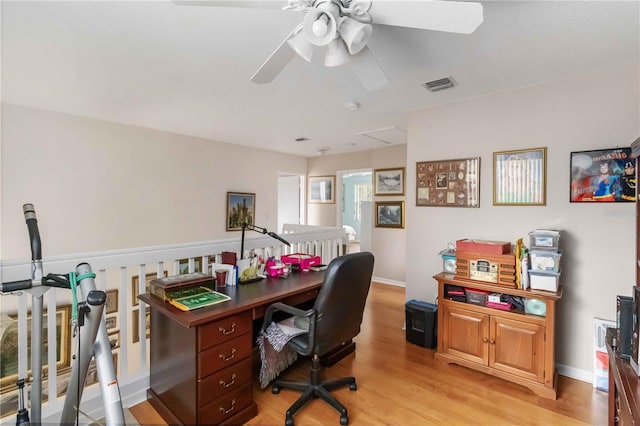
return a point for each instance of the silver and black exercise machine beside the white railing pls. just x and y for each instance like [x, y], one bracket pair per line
[88, 327]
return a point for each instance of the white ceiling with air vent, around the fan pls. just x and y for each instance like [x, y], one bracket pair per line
[186, 69]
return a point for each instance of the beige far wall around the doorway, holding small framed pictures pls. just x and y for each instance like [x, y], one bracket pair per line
[388, 245]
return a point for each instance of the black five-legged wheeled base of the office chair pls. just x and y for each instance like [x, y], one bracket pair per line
[315, 389]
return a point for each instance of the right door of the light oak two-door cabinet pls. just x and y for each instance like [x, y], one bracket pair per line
[518, 348]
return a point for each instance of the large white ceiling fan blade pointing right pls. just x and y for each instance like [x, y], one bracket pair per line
[449, 16]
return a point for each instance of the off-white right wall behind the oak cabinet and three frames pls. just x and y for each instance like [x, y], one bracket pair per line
[584, 113]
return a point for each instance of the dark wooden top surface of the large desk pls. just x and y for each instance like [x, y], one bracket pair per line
[243, 297]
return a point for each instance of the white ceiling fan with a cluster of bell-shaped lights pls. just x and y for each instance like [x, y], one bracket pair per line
[344, 27]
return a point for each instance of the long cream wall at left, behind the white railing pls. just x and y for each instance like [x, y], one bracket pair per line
[99, 185]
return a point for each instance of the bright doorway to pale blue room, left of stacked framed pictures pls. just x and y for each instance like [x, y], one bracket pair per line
[354, 211]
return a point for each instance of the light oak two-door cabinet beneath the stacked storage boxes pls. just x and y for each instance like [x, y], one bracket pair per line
[512, 345]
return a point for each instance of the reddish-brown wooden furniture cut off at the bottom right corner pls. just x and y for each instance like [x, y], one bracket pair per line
[624, 388]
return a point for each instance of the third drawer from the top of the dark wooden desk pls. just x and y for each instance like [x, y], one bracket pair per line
[227, 380]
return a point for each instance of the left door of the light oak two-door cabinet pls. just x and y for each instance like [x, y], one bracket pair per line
[466, 334]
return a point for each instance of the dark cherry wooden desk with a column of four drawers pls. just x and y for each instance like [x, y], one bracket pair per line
[201, 364]
